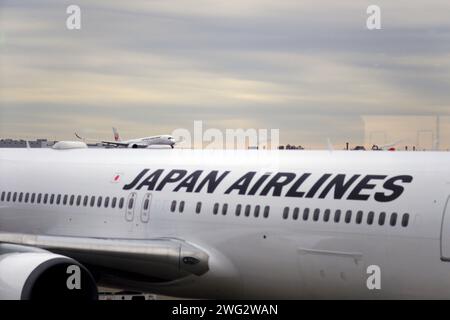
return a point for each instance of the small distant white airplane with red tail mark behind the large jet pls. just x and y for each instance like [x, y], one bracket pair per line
[136, 143]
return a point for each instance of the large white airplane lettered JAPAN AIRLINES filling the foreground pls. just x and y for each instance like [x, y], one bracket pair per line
[224, 224]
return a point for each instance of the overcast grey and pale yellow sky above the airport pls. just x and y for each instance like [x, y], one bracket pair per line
[309, 68]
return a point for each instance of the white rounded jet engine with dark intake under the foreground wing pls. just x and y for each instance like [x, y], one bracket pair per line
[42, 275]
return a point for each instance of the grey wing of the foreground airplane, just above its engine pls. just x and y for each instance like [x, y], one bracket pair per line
[158, 259]
